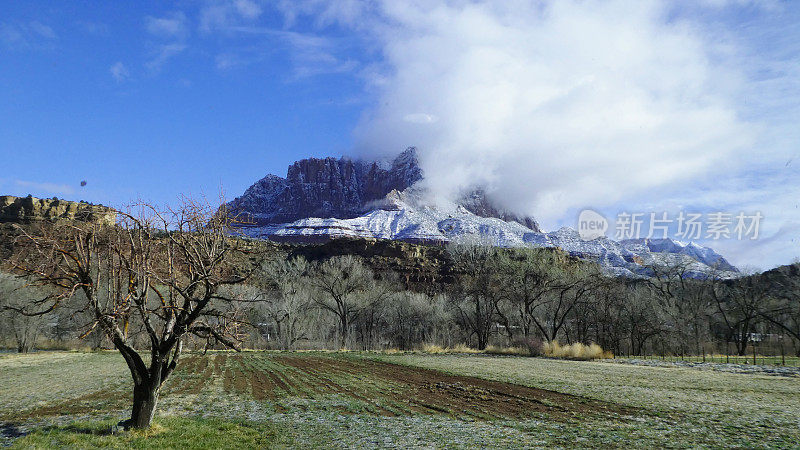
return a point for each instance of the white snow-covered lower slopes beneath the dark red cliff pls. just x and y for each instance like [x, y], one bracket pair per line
[409, 217]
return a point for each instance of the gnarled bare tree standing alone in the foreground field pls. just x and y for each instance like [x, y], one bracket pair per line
[163, 268]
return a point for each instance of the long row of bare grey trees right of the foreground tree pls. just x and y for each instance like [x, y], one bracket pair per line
[514, 296]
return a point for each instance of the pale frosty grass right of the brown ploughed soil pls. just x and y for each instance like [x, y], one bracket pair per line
[692, 407]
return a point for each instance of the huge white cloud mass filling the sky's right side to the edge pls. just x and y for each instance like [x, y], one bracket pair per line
[560, 105]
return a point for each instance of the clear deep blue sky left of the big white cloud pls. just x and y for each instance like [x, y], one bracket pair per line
[98, 92]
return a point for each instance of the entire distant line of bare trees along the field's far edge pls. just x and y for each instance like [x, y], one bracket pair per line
[504, 297]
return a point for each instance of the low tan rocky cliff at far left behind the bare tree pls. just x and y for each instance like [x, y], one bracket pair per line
[31, 209]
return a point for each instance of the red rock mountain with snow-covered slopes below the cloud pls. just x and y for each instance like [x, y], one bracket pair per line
[323, 199]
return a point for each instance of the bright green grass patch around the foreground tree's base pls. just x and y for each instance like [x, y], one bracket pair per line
[169, 432]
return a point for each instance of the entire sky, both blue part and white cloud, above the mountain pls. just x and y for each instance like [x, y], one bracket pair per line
[643, 106]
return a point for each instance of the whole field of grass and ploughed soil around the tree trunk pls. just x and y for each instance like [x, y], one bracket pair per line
[315, 399]
